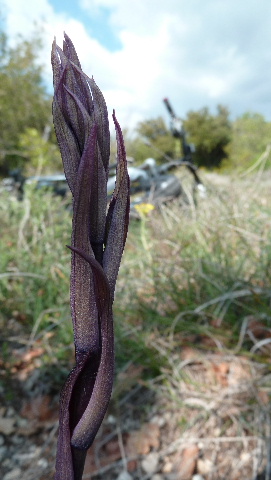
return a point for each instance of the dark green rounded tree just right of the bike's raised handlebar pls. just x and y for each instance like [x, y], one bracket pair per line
[210, 134]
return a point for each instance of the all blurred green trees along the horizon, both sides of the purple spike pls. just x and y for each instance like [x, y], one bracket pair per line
[27, 139]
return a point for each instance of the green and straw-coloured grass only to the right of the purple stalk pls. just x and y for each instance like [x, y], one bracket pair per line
[201, 271]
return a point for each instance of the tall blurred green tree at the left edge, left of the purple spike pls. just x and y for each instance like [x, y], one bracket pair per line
[24, 102]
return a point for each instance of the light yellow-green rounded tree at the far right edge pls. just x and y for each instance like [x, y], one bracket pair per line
[251, 134]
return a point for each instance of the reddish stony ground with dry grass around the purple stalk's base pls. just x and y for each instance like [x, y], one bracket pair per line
[208, 421]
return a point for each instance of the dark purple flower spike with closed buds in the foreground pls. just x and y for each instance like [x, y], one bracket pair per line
[98, 239]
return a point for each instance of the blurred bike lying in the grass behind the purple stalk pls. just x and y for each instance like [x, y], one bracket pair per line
[149, 183]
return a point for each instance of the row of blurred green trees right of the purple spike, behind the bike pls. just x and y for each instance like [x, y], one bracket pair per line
[219, 142]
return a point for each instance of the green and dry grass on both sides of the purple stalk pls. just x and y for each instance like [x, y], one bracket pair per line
[188, 272]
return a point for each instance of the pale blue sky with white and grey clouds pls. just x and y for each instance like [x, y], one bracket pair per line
[197, 53]
